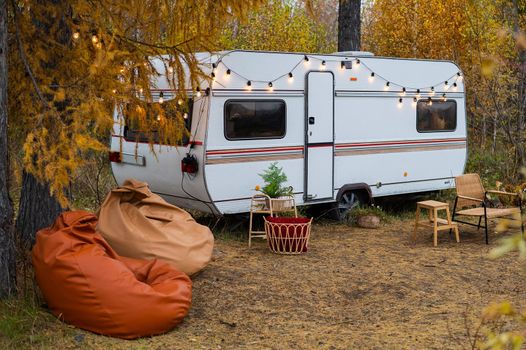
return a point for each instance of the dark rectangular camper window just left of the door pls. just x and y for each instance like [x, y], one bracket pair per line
[254, 119]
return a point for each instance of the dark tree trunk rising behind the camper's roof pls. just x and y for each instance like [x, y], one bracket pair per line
[349, 25]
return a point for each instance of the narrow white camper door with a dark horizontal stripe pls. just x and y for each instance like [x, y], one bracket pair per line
[319, 138]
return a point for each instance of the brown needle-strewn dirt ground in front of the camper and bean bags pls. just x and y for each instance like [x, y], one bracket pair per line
[355, 289]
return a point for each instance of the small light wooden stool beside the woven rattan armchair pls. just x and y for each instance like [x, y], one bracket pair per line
[433, 207]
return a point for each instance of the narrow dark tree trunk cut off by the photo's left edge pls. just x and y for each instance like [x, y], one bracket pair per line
[7, 238]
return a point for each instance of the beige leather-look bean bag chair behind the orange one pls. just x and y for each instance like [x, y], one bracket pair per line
[140, 224]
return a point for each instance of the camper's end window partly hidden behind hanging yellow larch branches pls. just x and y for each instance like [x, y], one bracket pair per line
[170, 108]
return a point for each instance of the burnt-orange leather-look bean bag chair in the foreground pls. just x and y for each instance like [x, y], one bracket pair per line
[87, 284]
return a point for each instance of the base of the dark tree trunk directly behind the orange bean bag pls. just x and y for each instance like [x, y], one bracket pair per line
[38, 209]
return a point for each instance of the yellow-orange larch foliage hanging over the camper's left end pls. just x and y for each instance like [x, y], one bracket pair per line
[71, 63]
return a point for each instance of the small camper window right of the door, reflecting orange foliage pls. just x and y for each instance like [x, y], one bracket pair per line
[436, 116]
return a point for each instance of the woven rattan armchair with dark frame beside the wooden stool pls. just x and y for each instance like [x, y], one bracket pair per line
[471, 201]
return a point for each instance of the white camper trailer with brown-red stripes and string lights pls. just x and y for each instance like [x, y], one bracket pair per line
[345, 127]
